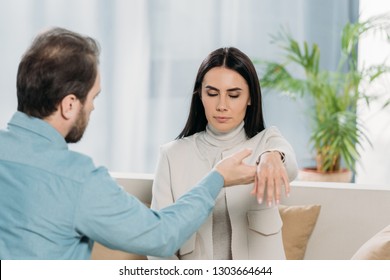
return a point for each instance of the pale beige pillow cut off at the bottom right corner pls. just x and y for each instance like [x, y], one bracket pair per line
[376, 248]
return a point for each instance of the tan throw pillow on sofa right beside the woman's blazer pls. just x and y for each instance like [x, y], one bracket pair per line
[298, 225]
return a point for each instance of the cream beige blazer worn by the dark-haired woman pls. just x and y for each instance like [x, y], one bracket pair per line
[256, 229]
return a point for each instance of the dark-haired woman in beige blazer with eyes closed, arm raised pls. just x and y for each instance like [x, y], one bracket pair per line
[226, 116]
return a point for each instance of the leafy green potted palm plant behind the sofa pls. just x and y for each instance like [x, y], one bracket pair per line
[336, 128]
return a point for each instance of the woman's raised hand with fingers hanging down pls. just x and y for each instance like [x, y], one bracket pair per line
[270, 178]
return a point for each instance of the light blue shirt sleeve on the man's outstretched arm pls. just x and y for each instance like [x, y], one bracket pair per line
[111, 216]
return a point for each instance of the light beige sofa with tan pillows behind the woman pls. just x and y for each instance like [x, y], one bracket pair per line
[321, 221]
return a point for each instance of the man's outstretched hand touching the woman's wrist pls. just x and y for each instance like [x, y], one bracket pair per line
[234, 171]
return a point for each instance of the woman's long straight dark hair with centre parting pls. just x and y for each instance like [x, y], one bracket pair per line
[234, 59]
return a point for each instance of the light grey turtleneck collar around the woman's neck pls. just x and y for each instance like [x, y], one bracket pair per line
[225, 140]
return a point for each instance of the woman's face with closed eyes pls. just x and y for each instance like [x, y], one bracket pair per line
[225, 97]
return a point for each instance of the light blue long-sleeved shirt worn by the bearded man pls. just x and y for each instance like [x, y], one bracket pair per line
[54, 202]
